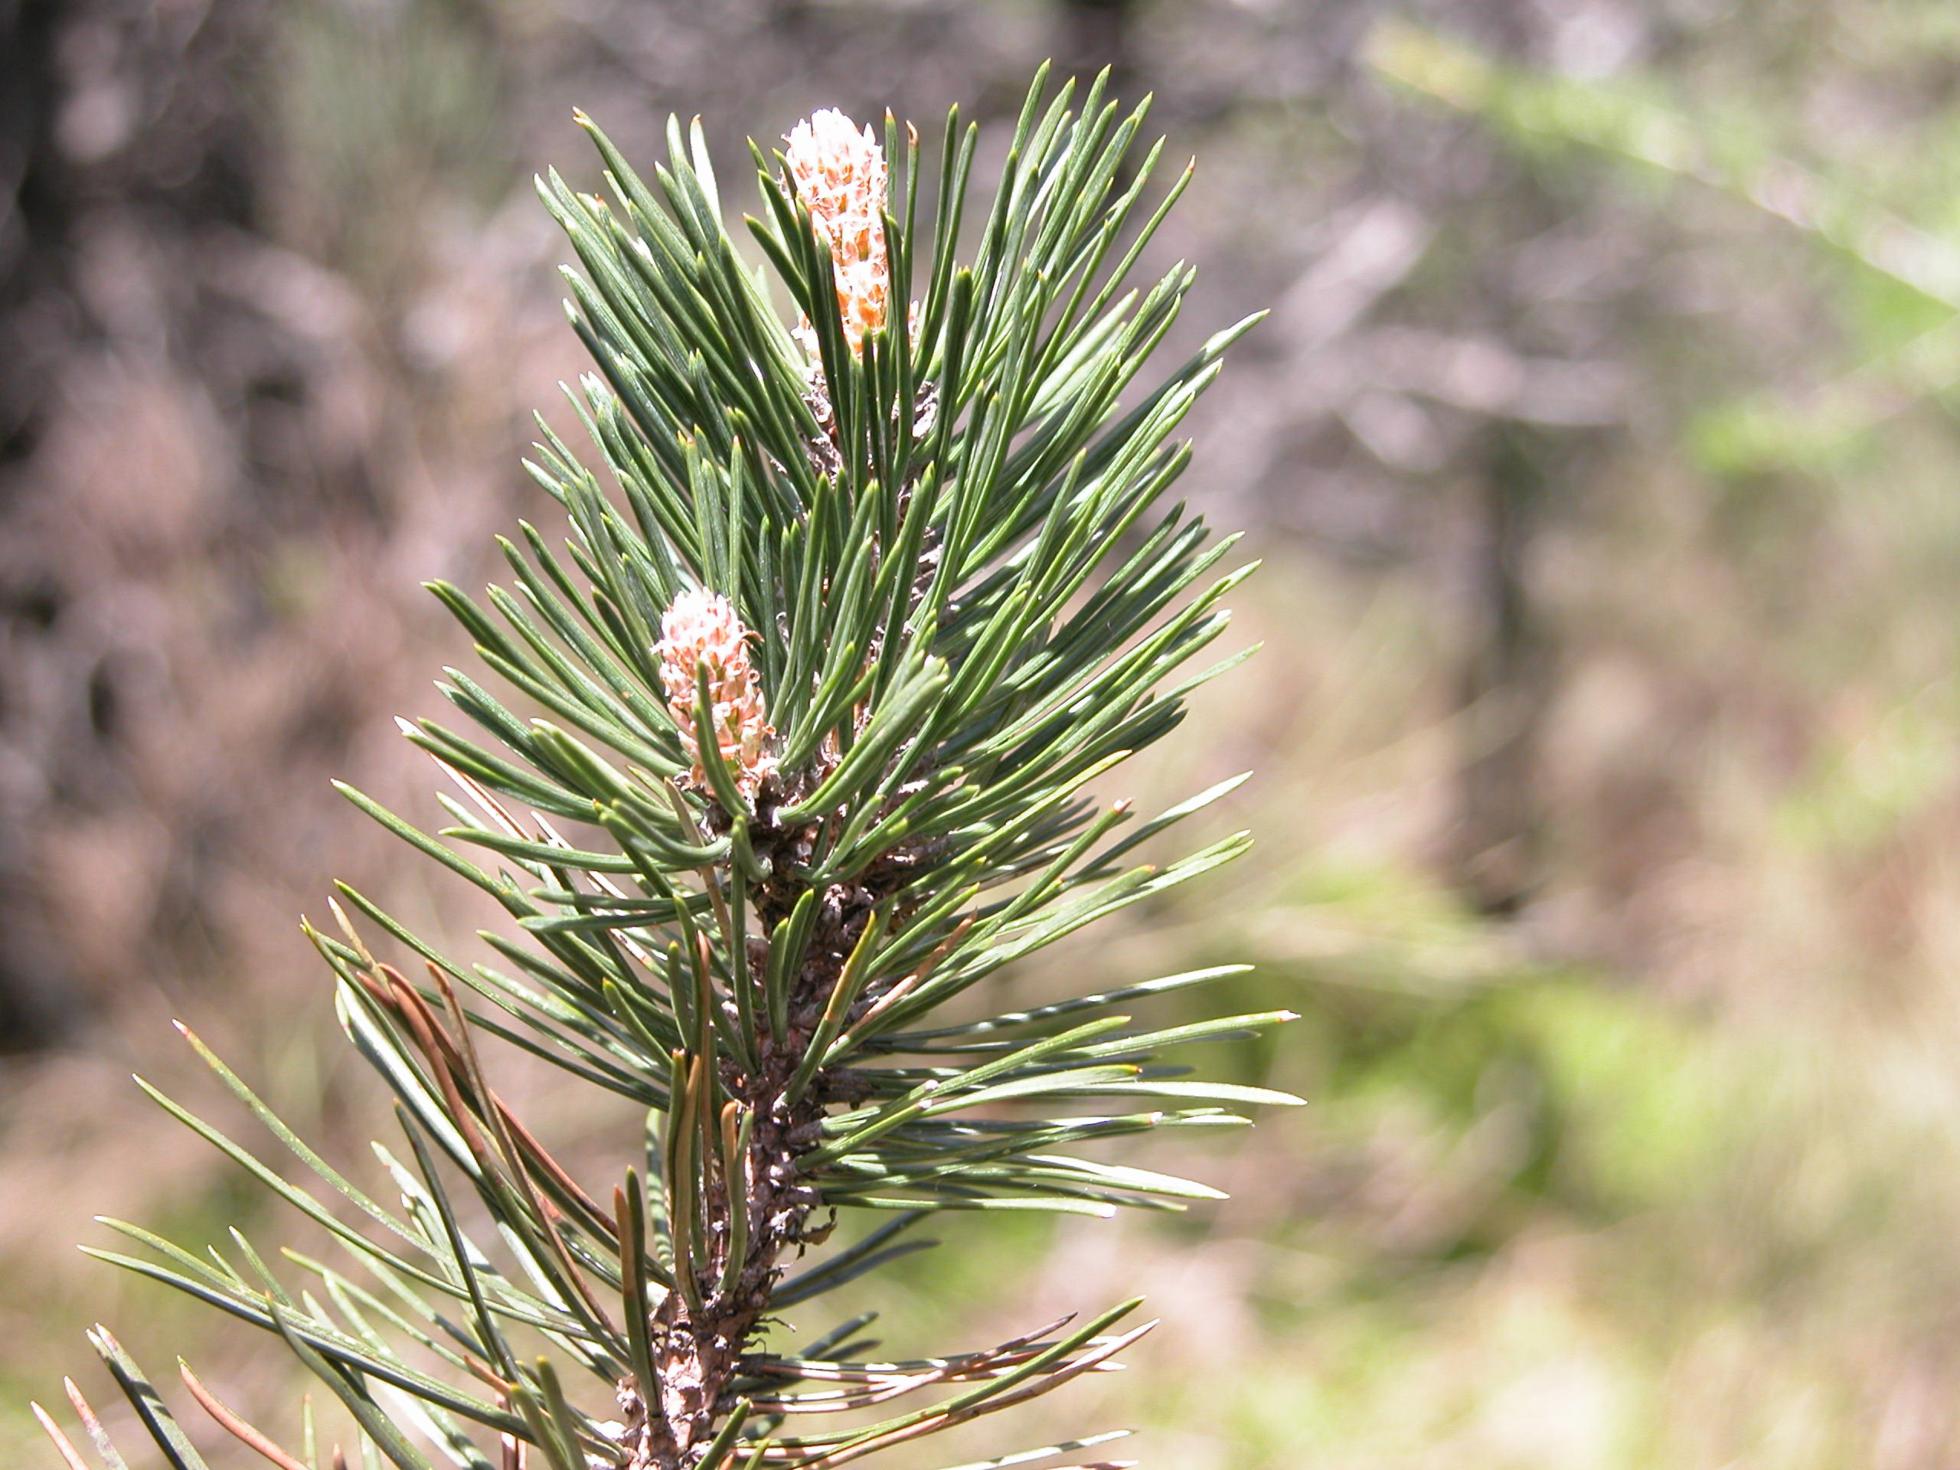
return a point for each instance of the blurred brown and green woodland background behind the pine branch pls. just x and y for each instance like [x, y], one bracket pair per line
[1604, 462]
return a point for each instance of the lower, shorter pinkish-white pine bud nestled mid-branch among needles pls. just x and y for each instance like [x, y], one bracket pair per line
[703, 632]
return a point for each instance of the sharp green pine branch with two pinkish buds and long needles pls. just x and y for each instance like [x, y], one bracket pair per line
[793, 756]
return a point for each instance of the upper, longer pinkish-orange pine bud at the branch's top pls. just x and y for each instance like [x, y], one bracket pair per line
[842, 177]
